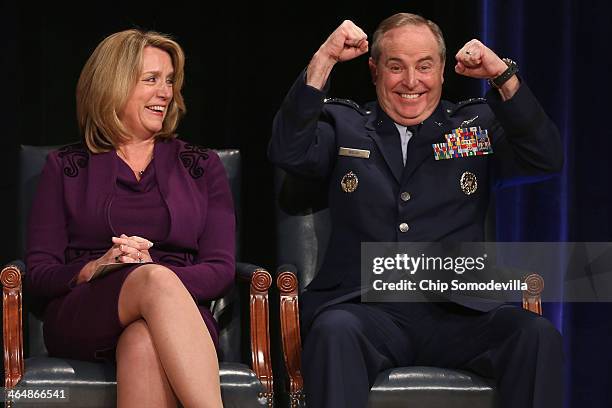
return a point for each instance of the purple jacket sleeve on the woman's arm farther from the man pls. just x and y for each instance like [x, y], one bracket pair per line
[48, 275]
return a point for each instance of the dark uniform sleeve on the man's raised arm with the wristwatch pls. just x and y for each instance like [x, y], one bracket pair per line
[529, 143]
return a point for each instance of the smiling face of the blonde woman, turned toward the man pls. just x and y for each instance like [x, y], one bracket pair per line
[144, 112]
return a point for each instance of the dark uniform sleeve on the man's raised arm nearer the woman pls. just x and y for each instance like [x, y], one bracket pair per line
[303, 140]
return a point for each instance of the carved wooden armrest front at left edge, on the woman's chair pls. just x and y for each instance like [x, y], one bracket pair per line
[12, 324]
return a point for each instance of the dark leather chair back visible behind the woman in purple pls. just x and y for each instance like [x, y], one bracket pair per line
[32, 160]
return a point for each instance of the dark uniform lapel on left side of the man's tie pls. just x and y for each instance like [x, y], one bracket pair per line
[384, 133]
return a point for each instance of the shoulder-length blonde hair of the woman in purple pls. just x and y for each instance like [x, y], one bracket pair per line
[109, 76]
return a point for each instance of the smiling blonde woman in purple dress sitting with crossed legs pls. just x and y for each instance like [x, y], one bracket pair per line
[131, 234]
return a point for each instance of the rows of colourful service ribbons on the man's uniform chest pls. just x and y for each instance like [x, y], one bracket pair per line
[463, 142]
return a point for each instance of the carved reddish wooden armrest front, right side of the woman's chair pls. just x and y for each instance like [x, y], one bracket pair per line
[260, 330]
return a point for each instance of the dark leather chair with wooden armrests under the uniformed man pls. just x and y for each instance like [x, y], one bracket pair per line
[303, 234]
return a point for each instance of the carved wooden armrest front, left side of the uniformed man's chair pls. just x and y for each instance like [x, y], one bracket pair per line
[287, 283]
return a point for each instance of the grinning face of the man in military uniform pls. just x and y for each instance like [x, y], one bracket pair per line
[408, 74]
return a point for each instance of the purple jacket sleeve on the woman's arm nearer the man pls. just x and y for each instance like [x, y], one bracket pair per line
[213, 273]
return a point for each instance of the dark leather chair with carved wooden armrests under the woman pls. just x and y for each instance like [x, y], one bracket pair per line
[241, 340]
